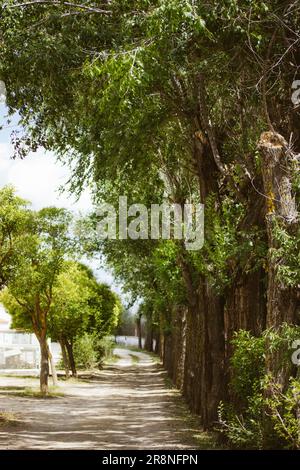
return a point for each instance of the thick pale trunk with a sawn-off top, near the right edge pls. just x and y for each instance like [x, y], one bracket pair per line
[280, 211]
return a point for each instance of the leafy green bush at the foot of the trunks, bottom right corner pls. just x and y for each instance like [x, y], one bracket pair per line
[264, 415]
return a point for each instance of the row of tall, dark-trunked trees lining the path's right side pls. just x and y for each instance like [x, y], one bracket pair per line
[184, 101]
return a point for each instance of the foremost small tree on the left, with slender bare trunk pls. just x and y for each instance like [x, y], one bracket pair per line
[29, 295]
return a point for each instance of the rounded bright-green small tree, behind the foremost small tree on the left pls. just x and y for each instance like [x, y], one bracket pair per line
[80, 305]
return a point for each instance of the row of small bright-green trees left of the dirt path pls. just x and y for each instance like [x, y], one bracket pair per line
[45, 289]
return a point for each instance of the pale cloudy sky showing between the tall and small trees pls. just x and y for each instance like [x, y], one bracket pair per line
[37, 178]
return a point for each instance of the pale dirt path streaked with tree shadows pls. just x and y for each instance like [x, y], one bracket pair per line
[126, 406]
